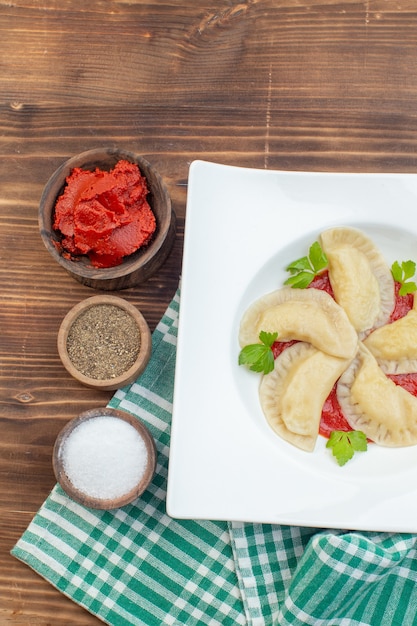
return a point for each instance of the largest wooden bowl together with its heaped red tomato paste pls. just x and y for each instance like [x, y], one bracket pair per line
[96, 242]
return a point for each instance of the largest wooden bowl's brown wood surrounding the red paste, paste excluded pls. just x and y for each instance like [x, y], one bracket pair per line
[137, 267]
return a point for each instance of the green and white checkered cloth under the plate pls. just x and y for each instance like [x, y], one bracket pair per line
[136, 566]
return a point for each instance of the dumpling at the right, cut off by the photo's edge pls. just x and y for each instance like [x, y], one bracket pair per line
[395, 345]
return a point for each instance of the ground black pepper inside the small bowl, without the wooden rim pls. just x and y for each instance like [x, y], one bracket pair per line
[103, 342]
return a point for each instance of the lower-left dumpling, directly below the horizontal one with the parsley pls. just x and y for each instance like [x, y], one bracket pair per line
[293, 394]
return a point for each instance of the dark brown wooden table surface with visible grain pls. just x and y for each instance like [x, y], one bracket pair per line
[320, 85]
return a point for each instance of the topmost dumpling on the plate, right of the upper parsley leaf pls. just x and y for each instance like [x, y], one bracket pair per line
[361, 280]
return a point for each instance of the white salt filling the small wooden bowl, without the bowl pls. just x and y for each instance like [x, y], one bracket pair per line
[104, 457]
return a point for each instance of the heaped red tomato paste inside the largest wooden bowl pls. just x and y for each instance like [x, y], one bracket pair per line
[104, 215]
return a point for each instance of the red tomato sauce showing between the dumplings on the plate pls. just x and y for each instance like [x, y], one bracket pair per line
[332, 417]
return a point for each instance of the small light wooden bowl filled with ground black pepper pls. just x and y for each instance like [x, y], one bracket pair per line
[104, 342]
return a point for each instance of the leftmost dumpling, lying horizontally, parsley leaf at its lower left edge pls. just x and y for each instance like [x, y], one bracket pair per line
[309, 315]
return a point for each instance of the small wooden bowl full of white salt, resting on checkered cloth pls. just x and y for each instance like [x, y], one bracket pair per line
[105, 464]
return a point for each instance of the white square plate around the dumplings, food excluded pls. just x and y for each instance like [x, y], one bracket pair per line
[243, 227]
